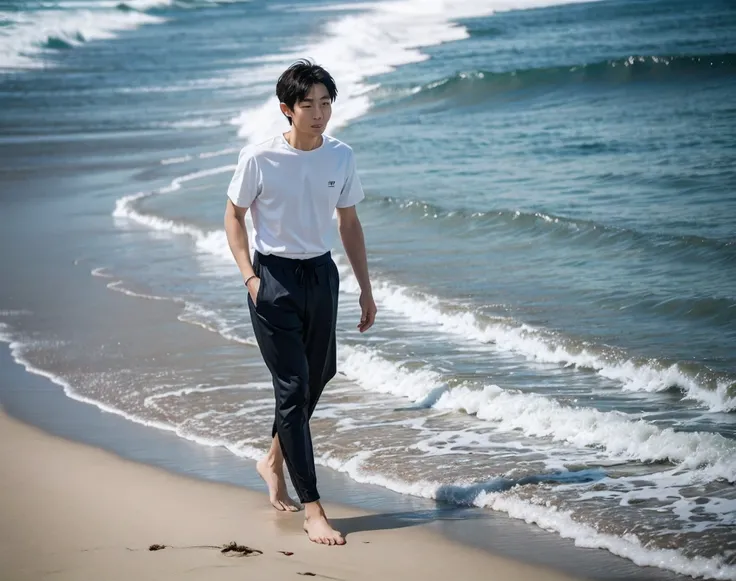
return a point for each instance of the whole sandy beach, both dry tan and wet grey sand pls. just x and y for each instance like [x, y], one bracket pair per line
[87, 494]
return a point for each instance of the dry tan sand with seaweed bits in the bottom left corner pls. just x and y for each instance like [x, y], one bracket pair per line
[74, 512]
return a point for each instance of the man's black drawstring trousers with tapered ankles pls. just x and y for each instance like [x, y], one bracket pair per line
[294, 320]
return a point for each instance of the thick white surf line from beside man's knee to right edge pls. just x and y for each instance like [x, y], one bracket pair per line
[543, 417]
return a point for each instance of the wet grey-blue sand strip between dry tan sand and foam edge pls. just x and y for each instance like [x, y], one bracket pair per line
[37, 401]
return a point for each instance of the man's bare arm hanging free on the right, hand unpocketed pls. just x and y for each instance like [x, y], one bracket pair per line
[351, 233]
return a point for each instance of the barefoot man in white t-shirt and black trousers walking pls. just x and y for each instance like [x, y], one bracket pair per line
[295, 184]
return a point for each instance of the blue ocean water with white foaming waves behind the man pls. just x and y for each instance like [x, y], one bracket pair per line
[551, 223]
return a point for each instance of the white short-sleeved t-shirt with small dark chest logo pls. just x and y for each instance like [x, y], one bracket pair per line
[292, 194]
